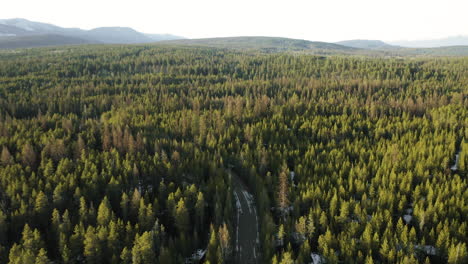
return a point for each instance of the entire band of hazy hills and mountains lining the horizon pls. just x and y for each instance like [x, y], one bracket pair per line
[22, 33]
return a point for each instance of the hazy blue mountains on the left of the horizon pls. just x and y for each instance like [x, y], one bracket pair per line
[14, 31]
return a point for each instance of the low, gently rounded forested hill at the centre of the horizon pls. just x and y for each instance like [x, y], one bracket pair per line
[267, 44]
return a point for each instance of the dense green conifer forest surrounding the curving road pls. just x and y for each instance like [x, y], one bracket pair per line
[119, 154]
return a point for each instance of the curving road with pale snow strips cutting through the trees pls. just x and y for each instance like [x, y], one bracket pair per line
[246, 233]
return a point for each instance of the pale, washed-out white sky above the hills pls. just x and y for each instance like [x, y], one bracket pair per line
[325, 20]
